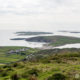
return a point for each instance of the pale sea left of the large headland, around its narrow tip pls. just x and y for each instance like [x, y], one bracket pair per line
[6, 35]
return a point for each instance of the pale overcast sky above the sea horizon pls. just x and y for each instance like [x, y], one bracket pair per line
[42, 15]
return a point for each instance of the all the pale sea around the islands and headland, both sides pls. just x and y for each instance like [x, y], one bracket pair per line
[6, 35]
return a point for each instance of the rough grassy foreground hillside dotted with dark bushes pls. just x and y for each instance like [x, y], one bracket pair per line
[56, 64]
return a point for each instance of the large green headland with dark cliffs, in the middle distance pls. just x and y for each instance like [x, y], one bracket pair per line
[55, 40]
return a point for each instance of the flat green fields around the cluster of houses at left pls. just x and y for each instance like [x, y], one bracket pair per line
[7, 58]
